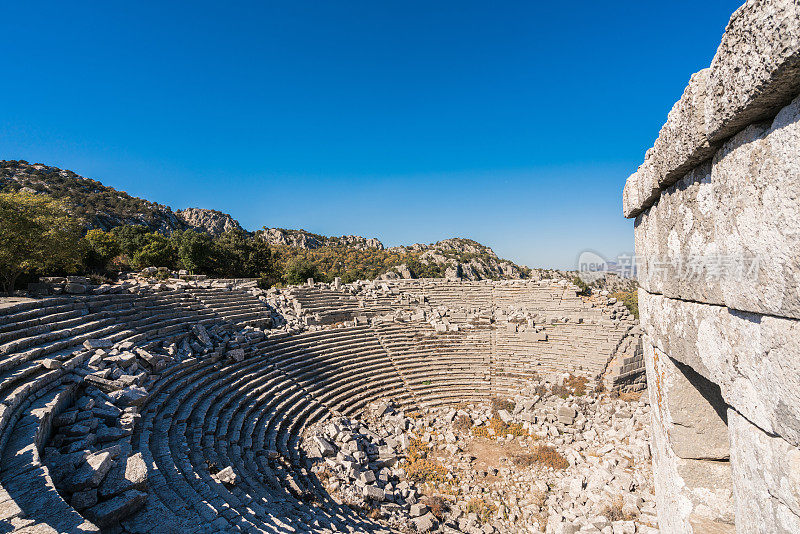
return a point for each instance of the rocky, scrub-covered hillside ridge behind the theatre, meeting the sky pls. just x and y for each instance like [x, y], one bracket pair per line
[103, 207]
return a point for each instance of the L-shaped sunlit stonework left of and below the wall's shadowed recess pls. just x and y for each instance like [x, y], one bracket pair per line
[691, 495]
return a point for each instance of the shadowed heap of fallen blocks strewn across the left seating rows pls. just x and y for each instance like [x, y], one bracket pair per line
[89, 455]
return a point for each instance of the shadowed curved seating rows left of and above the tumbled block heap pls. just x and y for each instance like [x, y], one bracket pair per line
[38, 350]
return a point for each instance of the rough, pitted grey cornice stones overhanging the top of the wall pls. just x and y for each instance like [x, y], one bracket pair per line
[755, 72]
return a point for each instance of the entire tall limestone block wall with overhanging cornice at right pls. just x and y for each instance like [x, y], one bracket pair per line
[717, 228]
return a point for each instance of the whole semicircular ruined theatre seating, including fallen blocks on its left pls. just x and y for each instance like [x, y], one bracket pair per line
[180, 406]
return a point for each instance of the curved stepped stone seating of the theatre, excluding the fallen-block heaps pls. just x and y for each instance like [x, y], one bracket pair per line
[206, 414]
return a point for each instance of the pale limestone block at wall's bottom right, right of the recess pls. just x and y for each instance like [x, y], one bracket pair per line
[766, 474]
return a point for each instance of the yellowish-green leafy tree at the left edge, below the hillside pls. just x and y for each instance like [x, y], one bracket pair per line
[36, 234]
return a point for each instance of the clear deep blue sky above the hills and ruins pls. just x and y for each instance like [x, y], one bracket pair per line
[512, 123]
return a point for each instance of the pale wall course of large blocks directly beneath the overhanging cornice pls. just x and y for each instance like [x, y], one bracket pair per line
[717, 211]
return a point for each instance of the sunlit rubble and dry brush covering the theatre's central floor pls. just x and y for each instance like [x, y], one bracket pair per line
[556, 458]
